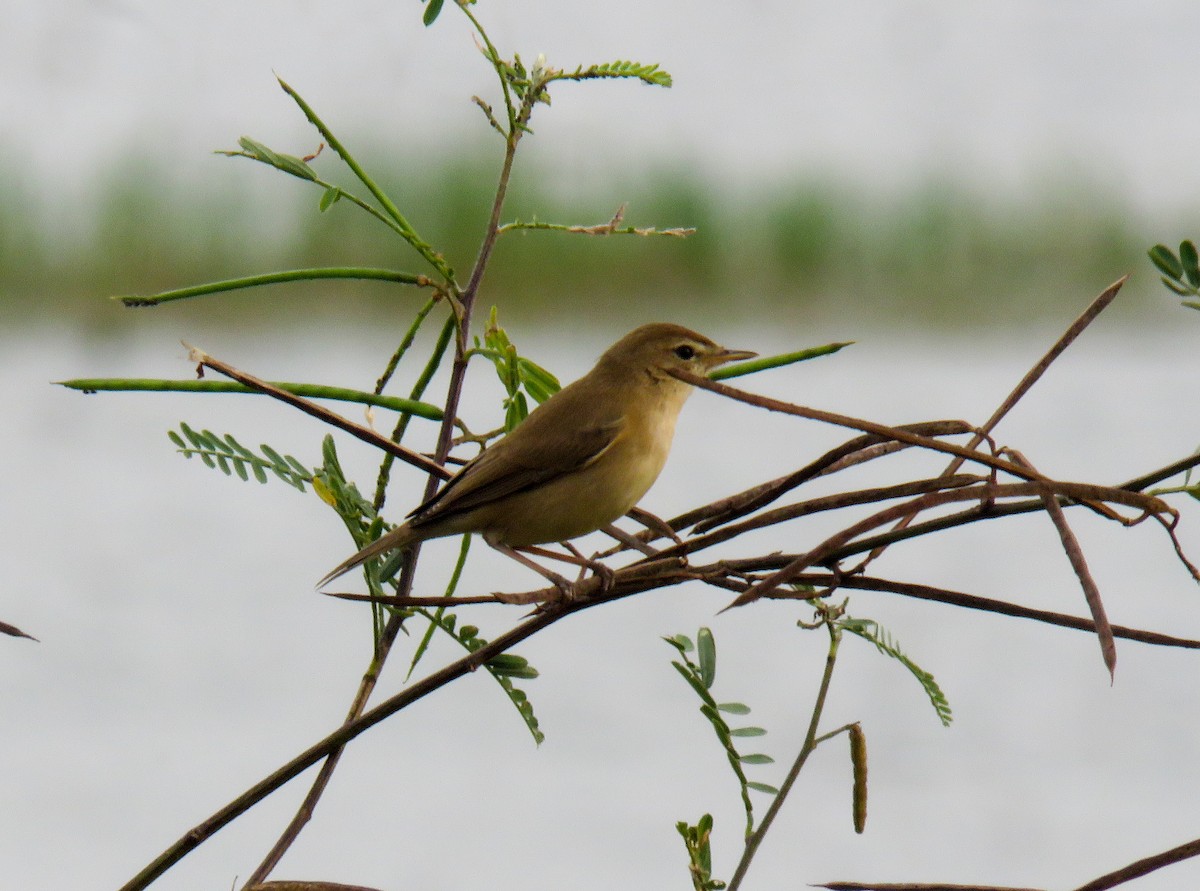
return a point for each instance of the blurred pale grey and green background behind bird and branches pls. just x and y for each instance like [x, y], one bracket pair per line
[947, 186]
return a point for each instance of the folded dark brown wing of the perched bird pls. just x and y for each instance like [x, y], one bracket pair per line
[517, 464]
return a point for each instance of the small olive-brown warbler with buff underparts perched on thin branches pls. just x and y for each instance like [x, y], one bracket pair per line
[579, 462]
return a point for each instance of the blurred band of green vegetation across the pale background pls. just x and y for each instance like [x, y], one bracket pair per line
[939, 254]
